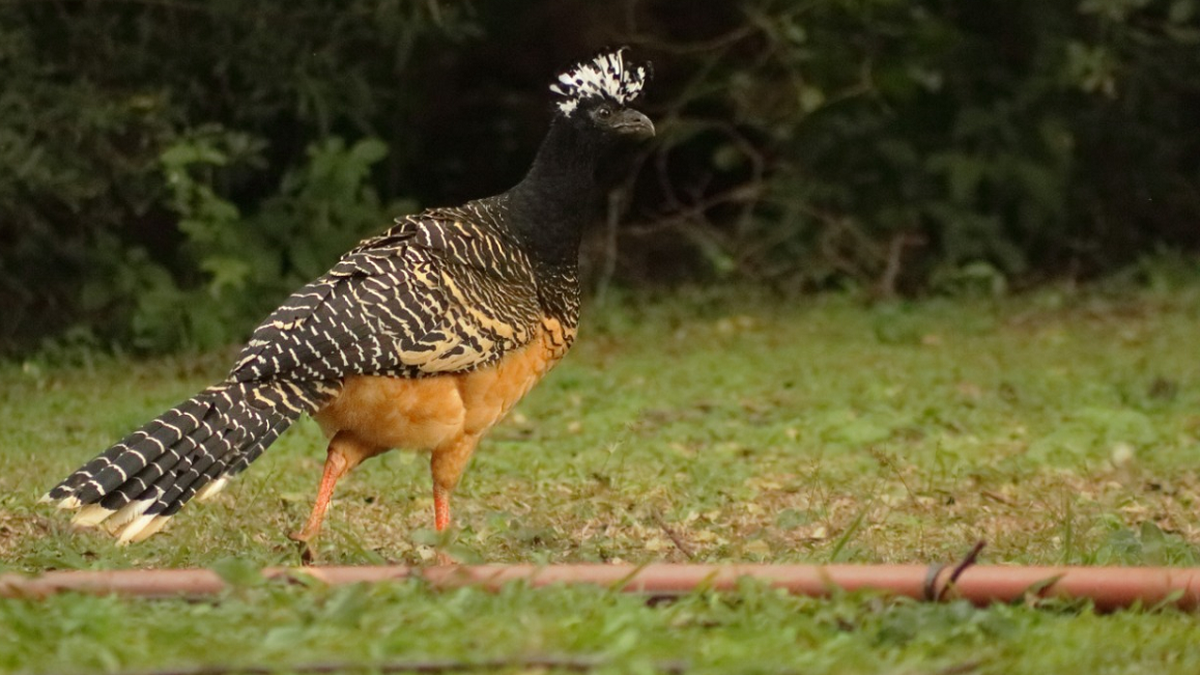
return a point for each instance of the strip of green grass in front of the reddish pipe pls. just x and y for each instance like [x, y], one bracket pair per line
[410, 628]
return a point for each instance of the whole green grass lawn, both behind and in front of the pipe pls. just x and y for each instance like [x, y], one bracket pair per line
[1061, 428]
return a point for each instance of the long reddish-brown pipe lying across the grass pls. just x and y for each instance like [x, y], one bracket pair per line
[1108, 588]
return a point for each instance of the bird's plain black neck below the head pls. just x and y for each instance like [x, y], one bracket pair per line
[559, 196]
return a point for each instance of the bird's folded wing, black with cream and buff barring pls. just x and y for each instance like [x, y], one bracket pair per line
[430, 296]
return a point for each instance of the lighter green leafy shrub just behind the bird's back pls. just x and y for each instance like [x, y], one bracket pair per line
[237, 266]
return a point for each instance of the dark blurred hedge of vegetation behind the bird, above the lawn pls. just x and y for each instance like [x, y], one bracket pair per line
[170, 170]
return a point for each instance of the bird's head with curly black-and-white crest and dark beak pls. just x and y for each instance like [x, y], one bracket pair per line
[598, 93]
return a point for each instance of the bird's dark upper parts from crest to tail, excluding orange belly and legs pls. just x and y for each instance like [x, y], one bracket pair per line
[447, 291]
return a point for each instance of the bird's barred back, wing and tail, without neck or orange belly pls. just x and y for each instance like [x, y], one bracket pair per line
[441, 292]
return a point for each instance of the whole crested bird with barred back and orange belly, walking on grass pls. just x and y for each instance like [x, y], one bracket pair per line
[422, 338]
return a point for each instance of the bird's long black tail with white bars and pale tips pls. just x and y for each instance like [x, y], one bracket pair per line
[136, 486]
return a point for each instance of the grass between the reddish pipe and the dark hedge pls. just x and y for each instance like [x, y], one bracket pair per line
[1055, 427]
